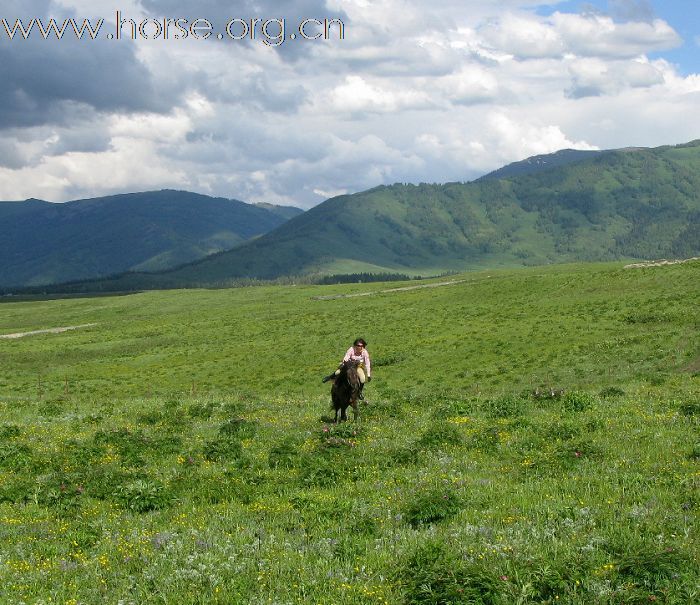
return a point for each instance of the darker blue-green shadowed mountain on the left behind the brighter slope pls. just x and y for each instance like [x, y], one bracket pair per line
[43, 243]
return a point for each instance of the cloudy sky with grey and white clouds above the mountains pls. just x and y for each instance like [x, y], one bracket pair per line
[416, 91]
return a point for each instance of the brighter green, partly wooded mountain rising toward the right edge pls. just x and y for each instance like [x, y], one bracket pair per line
[570, 206]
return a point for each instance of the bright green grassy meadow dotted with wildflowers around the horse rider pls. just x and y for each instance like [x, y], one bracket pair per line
[530, 436]
